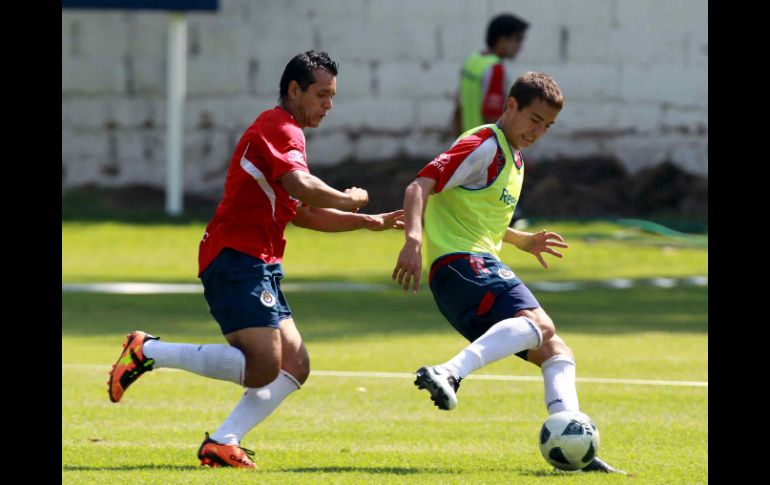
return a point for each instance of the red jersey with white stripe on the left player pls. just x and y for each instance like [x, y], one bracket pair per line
[255, 208]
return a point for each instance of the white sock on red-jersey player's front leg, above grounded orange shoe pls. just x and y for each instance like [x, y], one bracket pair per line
[255, 405]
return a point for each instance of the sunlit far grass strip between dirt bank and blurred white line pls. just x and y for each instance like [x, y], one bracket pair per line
[115, 251]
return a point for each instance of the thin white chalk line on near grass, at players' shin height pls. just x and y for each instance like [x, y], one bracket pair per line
[481, 377]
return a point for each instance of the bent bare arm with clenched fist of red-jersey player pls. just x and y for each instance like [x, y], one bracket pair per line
[314, 192]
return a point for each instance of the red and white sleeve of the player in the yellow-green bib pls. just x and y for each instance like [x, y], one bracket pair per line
[461, 164]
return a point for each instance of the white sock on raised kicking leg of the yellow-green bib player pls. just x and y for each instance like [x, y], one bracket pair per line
[504, 338]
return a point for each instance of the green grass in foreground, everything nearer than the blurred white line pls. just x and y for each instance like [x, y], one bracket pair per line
[349, 430]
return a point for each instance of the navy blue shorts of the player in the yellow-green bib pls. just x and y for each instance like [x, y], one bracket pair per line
[475, 291]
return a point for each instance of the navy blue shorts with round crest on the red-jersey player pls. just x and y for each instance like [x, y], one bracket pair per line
[242, 291]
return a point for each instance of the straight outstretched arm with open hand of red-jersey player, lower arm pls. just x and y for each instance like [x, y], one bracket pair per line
[332, 220]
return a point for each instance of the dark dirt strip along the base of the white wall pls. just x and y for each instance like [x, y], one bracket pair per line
[591, 187]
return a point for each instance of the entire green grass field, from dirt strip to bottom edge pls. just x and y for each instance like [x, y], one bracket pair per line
[382, 430]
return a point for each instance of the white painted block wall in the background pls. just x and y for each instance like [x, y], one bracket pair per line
[634, 74]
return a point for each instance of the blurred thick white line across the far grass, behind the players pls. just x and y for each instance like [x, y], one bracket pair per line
[130, 288]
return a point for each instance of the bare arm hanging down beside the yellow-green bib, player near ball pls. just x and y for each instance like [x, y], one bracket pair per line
[409, 262]
